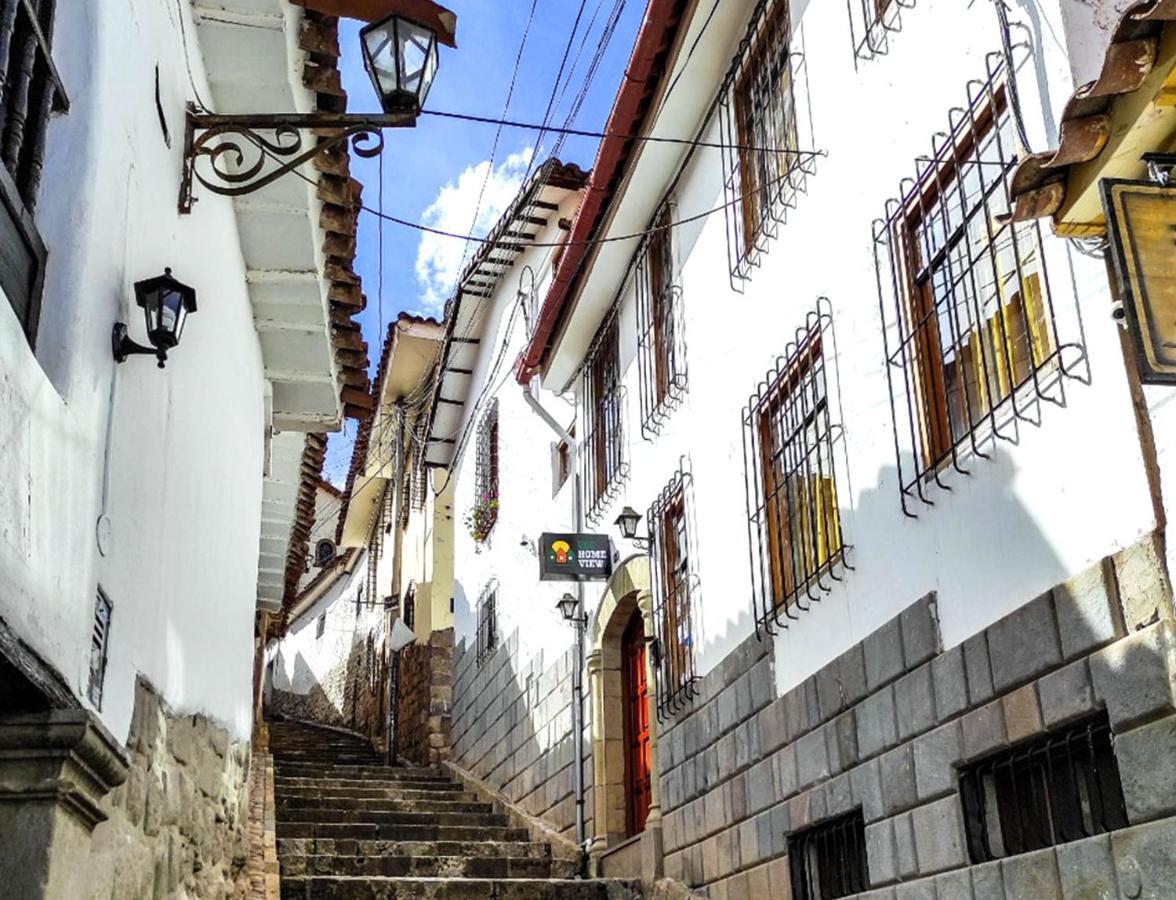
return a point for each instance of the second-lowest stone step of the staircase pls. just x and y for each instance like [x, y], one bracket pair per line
[458, 866]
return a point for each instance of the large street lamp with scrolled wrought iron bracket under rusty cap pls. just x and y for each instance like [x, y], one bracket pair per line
[242, 155]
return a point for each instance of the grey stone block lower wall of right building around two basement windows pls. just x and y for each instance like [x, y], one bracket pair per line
[885, 726]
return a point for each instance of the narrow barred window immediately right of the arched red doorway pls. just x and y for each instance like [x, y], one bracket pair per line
[673, 546]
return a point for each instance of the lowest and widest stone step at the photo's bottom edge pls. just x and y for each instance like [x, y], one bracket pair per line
[328, 888]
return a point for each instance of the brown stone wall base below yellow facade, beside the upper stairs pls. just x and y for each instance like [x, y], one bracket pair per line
[425, 689]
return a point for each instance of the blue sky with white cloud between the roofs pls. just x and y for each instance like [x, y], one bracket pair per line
[436, 174]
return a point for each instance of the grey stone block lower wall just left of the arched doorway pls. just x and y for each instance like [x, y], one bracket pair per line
[512, 729]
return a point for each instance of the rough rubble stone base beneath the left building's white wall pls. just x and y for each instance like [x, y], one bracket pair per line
[177, 826]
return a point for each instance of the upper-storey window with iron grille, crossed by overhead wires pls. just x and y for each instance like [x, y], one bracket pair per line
[765, 170]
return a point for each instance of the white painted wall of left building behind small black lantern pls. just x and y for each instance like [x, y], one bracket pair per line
[183, 485]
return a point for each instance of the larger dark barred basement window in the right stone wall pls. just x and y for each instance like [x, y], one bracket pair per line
[1060, 788]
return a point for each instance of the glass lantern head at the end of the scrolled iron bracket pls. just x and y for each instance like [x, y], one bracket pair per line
[402, 59]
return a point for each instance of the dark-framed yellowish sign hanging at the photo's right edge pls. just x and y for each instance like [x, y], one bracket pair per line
[1141, 228]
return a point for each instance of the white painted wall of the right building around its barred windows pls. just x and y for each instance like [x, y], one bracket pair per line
[1068, 494]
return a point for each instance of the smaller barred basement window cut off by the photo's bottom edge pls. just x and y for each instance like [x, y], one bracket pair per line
[828, 861]
